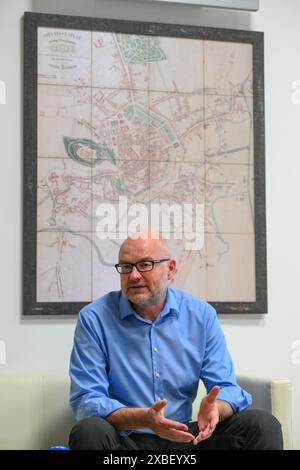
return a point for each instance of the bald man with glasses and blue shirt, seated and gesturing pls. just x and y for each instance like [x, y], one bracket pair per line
[137, 359]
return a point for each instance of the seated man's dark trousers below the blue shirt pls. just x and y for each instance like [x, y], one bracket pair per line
[247, 430]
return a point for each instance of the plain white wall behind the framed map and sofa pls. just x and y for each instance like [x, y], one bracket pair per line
[260, 345]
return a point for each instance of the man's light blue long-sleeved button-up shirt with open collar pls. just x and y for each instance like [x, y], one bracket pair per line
[120, 359]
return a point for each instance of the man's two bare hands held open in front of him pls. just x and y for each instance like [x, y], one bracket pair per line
[208, 418]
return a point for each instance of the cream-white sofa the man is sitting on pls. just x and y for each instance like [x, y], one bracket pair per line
[35, 414]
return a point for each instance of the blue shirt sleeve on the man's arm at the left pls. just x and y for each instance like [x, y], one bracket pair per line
[89, 382]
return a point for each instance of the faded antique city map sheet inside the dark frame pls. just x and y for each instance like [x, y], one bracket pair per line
[152, 120]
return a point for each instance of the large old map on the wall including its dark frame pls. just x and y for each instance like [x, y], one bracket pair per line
[121, 113]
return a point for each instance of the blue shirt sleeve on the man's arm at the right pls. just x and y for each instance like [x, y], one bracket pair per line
[217, 367]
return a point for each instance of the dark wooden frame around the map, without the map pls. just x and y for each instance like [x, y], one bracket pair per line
[32, 21]
